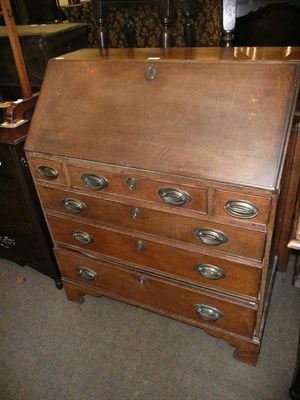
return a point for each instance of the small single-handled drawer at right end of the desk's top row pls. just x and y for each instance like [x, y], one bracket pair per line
[242, 206]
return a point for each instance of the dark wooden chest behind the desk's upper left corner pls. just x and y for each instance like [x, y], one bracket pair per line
[39, 43]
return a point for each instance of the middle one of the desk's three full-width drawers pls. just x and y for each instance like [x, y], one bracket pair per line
[159, 258]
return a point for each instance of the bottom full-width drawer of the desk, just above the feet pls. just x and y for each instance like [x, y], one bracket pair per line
[199, 307]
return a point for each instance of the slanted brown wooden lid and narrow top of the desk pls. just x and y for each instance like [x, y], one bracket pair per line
[216, 114]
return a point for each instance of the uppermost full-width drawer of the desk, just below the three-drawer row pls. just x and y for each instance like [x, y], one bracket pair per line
[204, 234]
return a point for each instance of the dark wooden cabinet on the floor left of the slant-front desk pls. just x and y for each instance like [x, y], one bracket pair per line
[24, 237]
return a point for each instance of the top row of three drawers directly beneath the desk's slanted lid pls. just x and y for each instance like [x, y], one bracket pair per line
[169, 192]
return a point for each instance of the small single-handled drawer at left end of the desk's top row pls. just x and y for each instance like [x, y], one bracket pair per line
[47, 171]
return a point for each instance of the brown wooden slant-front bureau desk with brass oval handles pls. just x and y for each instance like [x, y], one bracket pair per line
[163, 177]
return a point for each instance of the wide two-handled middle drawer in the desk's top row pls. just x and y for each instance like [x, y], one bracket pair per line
[135, 186]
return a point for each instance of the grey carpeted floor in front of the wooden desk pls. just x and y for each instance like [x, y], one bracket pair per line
[54, 349]
